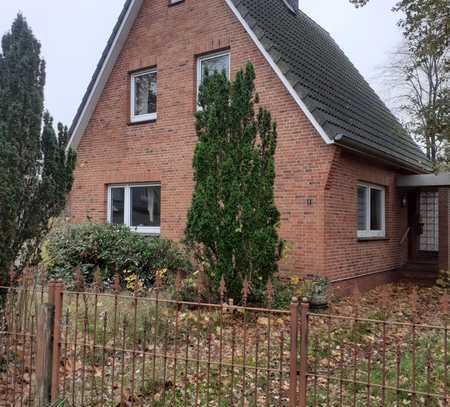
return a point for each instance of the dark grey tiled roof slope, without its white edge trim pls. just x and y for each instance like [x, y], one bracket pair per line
[333, 90]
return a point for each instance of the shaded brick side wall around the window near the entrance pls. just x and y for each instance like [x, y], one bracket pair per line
[346, 256]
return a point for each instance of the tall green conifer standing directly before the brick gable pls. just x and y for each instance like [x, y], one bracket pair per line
[232, 223]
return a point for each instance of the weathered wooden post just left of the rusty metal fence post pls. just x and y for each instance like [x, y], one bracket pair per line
[44, 355]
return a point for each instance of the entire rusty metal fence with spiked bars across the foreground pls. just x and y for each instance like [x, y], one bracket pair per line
[109, 349]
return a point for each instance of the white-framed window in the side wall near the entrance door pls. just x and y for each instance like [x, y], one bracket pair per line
[371, 211]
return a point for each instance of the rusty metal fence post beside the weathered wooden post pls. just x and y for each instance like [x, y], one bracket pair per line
[57, 301]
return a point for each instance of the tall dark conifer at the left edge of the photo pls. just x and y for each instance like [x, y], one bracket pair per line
[35, 171]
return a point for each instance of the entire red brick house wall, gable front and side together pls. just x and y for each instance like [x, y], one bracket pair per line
[311, 199]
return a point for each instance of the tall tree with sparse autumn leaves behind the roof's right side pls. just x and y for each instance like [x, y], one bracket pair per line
[418, 74]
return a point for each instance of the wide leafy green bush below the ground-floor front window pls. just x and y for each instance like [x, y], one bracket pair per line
[111, 249]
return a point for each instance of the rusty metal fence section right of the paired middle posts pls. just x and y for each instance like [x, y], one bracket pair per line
[375, 360]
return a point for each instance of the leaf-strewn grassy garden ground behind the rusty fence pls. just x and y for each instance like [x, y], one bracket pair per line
[124, 350]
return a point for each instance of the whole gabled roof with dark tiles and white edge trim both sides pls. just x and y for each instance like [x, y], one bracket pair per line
[331, 92]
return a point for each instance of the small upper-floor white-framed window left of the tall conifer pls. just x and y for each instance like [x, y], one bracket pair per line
[143, 96]
